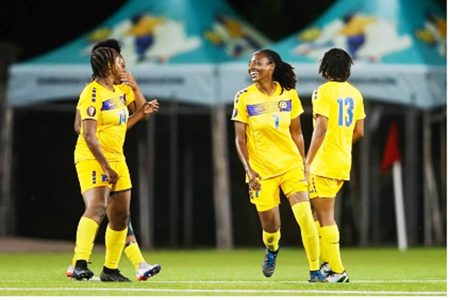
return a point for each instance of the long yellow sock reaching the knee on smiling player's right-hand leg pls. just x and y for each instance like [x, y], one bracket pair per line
[310, 237]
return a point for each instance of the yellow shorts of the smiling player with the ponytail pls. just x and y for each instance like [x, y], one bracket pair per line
[268, 196]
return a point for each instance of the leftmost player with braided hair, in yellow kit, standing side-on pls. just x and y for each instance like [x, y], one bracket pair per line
[101, 165]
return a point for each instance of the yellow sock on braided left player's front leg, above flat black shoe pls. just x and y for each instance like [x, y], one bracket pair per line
[114, 241]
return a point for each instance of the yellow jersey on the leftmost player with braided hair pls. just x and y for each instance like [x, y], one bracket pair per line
[109, 109]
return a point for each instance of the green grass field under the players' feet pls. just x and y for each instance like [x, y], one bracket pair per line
[372, 271]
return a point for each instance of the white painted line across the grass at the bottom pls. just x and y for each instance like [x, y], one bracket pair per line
[216, 291]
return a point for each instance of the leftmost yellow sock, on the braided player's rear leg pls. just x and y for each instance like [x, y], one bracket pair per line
[86, 232]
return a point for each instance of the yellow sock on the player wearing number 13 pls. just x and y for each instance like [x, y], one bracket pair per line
[330, 237]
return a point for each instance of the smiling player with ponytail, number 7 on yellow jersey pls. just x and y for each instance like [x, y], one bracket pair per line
[269, 142]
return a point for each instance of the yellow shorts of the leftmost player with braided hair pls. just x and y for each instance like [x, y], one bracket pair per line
[91, 175]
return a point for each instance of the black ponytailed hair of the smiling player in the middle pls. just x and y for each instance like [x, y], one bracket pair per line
[284, 73]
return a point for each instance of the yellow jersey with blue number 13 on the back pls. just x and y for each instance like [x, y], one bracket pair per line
[342, 104]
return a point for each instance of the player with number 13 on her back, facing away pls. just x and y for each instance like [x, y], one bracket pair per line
[338, 113]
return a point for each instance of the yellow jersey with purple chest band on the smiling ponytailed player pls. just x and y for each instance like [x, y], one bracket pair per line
[271, 149]
